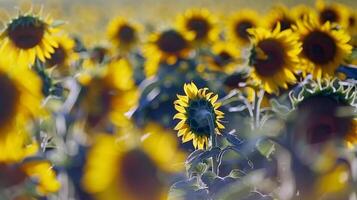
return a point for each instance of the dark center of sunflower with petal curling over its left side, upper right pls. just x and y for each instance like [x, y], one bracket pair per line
[274, 60]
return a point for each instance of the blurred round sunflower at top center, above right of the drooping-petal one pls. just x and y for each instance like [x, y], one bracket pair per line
[199, 22]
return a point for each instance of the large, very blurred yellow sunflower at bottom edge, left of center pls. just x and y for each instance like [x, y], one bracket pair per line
[121, 168]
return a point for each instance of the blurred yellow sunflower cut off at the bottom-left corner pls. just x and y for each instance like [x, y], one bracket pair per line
[17, 146]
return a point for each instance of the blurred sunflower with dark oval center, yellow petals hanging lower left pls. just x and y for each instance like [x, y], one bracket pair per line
[165, 47]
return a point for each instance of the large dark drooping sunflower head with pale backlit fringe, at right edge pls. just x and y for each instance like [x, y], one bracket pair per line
[325, 111]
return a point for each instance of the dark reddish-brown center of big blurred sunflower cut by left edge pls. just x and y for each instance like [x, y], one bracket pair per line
[9, 96]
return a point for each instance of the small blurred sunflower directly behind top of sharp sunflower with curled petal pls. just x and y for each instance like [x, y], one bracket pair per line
[279, 15]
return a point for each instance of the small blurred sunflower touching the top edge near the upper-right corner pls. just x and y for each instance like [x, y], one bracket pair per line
[333, 13]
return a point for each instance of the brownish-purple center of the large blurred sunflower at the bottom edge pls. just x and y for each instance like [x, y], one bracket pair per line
[139, 175]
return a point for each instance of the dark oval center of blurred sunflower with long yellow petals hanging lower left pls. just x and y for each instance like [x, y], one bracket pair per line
[171, 42]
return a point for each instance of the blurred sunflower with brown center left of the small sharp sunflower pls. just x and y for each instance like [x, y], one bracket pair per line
[113, 92]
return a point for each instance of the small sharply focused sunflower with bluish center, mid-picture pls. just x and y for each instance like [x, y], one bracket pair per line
[199, 114]
